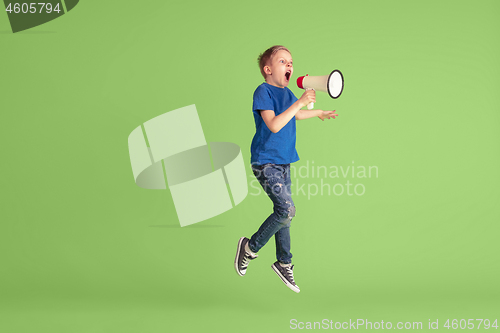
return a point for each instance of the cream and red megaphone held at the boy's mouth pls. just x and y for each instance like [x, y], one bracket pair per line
[333, 84]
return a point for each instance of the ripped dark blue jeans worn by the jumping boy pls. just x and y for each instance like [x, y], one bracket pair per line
[275, 180]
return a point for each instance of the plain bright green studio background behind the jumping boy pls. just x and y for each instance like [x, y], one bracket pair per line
[83, 249]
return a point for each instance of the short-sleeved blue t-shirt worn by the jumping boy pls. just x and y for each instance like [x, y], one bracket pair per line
[269, 147]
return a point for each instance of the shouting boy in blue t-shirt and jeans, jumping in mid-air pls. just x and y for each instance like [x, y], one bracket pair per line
[275, 109]
